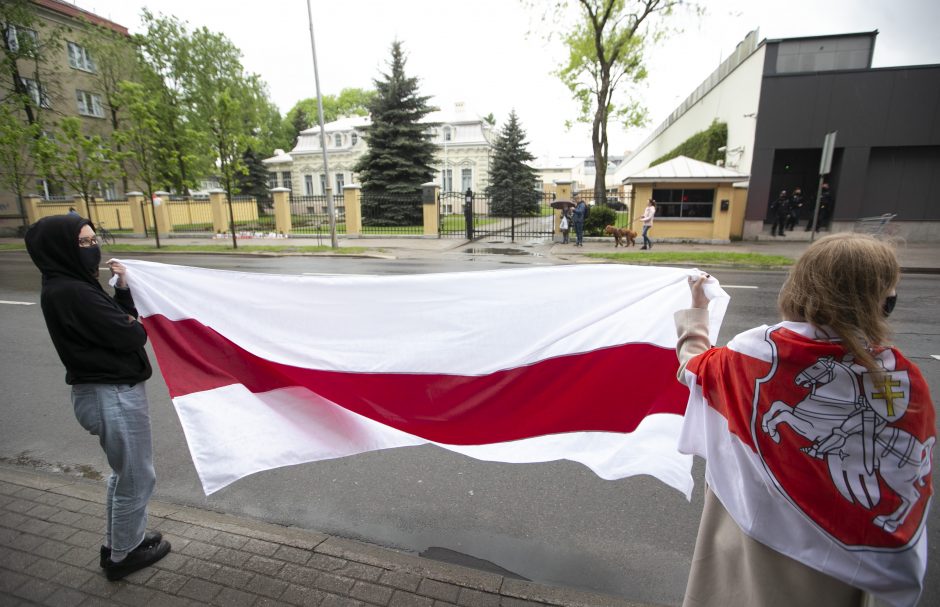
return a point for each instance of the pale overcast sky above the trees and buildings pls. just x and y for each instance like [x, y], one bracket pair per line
[481, 52]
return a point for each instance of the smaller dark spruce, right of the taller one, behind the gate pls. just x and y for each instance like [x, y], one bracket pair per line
[512, 182]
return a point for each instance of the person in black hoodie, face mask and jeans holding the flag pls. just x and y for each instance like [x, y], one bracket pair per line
[101, 343]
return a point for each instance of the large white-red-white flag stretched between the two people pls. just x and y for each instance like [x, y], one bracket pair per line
[523, 365]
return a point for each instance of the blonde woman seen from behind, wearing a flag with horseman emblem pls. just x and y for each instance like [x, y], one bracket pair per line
[817, 437]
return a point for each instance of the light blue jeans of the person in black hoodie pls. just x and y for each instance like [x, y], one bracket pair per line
[120, 417]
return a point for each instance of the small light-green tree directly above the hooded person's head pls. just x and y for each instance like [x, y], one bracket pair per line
[82, 161]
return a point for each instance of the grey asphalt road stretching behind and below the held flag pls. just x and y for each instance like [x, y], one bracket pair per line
[554, 522]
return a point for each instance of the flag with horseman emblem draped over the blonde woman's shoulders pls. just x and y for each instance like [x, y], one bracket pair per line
[816, 457]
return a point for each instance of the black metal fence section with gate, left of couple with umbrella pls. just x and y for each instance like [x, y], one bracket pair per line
[496, 214]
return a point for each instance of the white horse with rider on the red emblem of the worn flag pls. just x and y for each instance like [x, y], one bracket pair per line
[833, 415]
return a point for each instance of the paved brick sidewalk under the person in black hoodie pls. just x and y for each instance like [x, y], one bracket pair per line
[51, 526]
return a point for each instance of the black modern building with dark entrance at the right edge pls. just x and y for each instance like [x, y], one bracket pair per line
[887, 153]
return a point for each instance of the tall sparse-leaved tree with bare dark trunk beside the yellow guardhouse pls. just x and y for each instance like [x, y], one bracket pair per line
[606, 48]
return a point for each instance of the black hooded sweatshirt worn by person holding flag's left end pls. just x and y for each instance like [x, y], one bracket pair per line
[97, 337]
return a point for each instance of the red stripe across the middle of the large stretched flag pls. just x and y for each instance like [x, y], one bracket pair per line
[610, 390]
